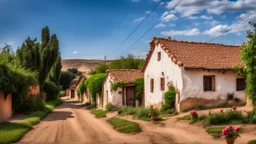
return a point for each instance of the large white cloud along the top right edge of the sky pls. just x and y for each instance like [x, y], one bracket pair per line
[191, 7]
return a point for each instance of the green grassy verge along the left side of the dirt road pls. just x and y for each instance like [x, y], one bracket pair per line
[12, 132]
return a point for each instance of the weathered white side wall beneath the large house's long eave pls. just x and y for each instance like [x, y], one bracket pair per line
[224, 83]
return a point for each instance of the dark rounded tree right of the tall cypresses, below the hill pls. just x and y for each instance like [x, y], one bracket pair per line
[65, 78]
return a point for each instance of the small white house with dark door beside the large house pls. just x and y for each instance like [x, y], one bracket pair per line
[121, 95]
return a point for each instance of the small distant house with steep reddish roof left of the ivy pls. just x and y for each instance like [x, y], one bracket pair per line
[85, 97]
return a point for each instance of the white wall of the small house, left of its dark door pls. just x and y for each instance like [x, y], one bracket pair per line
[113, 97]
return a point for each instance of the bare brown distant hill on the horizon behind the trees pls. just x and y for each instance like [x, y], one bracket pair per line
[83, 65]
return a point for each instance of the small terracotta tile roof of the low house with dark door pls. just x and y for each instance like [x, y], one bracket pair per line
[124, 75]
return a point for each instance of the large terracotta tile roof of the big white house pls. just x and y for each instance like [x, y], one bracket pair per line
[197, 54]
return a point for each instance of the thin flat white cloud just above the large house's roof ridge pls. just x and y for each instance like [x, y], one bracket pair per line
[194, 31]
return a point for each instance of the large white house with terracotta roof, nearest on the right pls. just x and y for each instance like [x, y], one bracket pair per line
[202, 73]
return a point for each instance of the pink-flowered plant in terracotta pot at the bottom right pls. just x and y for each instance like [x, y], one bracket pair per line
[231, 134]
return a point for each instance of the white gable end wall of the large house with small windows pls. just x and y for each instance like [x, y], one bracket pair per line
[154, 69]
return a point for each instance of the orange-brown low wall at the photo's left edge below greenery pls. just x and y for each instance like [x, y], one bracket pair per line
[5, 107]
